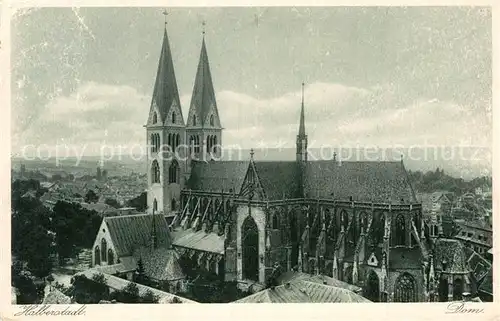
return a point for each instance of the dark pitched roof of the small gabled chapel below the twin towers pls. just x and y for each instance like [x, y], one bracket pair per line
[129, 232]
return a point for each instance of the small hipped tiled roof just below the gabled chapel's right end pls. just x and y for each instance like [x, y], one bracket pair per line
[160, 264]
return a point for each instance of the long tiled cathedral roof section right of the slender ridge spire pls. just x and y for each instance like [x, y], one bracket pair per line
[363, 181]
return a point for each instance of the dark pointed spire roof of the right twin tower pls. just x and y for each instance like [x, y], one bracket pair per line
[203, 92]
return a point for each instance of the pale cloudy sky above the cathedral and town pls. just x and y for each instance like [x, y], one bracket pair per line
[378, 76]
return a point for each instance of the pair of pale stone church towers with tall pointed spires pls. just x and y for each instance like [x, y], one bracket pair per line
[173, 143]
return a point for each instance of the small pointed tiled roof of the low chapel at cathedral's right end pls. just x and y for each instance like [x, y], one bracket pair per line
[452, 251]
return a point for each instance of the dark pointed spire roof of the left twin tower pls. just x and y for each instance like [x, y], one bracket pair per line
[165, 91]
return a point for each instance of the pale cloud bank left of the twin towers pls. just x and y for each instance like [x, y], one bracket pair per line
[94, 115]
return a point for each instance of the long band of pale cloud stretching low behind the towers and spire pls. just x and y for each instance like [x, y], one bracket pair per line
[336, 115]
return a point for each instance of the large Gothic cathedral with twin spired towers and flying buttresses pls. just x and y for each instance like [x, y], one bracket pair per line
[356, 221]
